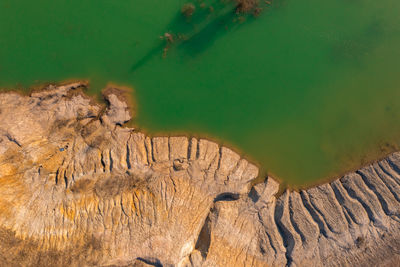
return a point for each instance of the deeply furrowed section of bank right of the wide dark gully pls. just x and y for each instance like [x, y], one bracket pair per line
[353, 221]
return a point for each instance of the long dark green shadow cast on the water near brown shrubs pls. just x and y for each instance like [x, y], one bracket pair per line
[195, 34]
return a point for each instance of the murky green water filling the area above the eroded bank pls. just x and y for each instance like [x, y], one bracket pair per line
[309, 89]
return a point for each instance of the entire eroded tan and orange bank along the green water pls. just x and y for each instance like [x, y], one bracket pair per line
[78, 189]
